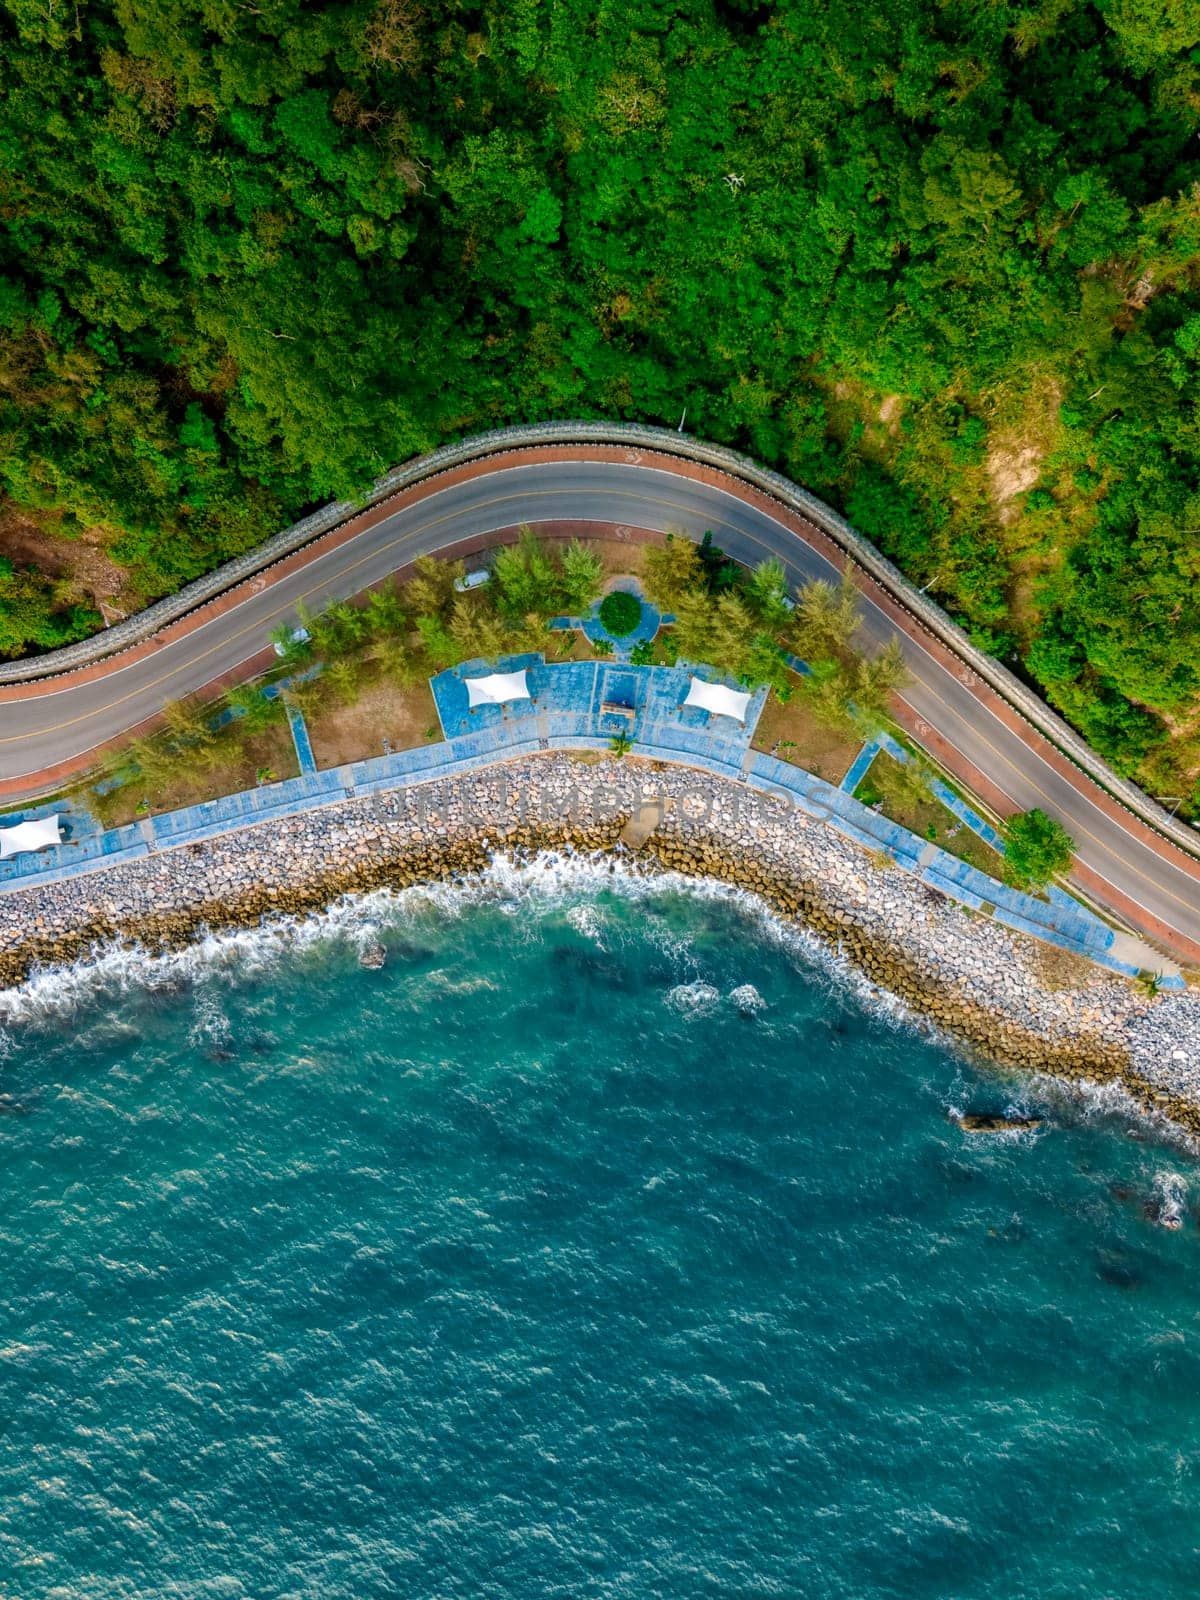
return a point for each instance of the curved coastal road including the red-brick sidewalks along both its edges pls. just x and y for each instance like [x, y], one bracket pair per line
[49, 729]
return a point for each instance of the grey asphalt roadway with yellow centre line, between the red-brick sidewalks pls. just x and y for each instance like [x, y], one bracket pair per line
[52, 726]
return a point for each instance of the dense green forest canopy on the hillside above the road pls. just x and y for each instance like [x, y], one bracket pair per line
[935, 262]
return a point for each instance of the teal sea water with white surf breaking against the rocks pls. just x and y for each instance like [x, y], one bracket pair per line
[607, 1242]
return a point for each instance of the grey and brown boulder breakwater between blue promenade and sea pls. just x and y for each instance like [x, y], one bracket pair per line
[1022, 1004]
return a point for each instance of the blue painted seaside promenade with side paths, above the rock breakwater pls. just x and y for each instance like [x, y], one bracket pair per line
[582, 706]
